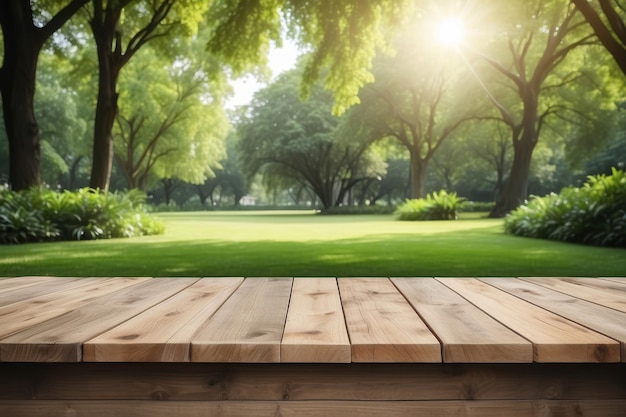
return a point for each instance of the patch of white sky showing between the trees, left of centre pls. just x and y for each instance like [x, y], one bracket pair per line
[280, 60]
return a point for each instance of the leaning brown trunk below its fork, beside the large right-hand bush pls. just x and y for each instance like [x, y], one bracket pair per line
[515, 190]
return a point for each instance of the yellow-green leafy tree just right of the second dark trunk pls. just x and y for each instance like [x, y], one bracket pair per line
[170, 124]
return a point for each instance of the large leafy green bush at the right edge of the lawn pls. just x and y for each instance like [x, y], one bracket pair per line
[594, 214]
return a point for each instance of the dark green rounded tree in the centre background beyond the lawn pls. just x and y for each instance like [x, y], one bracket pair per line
[284, 137]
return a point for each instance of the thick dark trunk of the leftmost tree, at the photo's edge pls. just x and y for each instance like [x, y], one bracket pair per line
[17, 85]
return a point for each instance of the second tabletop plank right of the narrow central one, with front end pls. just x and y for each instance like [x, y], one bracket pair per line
[467, 333]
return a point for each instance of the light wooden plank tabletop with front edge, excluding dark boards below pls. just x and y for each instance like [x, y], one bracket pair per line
[313, 320]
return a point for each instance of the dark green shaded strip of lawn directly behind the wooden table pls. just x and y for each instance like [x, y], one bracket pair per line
[459, 253]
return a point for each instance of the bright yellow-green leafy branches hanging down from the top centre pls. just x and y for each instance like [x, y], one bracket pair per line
[342, 35]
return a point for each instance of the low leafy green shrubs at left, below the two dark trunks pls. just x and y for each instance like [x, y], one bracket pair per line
[40, 215]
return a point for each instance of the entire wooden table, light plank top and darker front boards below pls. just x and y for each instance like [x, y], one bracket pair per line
[312, 347]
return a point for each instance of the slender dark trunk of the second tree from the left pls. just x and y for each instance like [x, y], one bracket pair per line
[106, 108]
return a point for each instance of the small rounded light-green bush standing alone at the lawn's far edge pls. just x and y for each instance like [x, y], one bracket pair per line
[436, 206]
